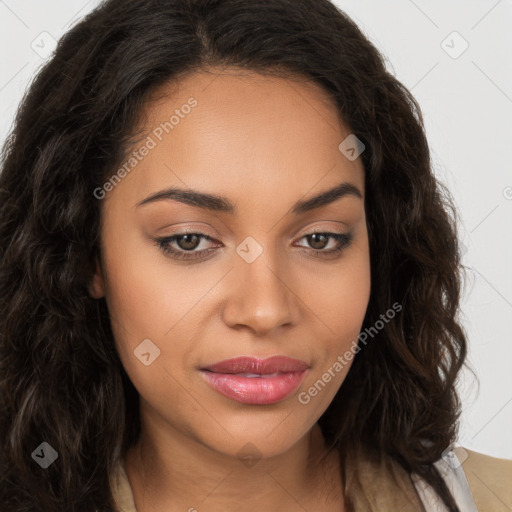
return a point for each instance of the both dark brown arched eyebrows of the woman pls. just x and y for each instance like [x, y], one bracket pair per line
[221, 204]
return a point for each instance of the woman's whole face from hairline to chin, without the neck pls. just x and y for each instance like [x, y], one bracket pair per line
[255, 282]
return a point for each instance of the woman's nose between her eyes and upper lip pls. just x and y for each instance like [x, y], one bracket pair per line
[261, 295]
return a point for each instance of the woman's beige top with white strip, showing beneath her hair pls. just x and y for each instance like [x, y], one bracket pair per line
[479, 483]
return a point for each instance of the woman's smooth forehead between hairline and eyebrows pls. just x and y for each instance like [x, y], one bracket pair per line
[231, 130]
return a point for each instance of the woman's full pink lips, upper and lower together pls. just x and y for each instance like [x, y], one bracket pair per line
[255, 381]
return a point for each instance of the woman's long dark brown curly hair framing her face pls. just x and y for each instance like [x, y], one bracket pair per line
[61, 379]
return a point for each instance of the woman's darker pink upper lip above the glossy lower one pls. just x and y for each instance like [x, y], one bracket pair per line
[247, 364]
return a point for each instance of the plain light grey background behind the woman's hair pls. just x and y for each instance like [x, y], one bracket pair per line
[467, 103]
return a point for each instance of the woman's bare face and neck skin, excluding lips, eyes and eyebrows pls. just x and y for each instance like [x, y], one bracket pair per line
[263, 143]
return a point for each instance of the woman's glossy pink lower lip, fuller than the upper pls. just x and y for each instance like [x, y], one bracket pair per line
[255, 390]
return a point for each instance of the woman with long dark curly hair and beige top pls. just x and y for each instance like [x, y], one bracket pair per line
[229, 278]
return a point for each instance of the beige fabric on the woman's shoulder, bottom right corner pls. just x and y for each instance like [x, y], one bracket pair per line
[490, 479]
